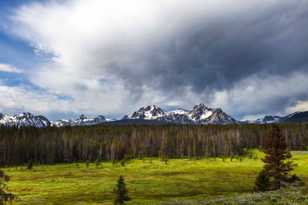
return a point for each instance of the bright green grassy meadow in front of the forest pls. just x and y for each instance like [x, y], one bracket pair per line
[150, 181]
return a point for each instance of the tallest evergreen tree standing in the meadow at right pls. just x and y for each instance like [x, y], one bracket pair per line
[277, 168]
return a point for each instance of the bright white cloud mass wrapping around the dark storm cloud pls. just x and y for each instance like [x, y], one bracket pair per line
[88, 39]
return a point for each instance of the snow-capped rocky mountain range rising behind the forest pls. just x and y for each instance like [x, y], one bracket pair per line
[152, 114]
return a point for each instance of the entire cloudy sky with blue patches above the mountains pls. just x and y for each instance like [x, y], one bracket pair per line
[110, 57]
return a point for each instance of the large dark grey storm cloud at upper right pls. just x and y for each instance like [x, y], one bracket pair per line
[219, 53]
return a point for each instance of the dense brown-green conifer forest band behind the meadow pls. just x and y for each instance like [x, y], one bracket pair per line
[117, 142]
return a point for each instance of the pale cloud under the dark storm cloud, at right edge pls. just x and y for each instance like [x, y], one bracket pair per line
[261, 95]
